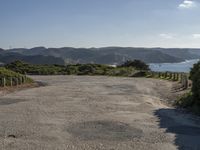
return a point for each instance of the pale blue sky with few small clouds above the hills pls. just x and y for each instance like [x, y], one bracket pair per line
[99, 23]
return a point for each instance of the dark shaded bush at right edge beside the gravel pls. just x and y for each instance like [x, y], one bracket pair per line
[191, 100]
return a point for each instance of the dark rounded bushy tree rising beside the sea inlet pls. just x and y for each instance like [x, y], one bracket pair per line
[138, 64]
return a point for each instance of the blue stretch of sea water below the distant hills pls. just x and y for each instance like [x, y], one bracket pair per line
[173, 67]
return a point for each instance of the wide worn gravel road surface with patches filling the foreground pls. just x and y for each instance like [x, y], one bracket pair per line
[95, 113]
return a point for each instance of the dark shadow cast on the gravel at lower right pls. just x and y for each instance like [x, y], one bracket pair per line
[187, 135]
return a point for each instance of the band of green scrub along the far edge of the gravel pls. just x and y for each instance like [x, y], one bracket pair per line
[132, 69]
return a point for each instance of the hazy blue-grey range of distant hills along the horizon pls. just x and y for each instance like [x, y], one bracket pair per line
[105, 55]
